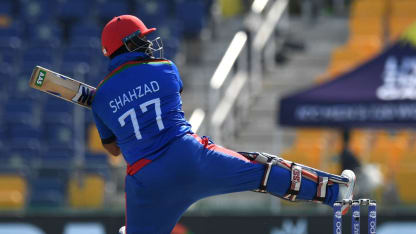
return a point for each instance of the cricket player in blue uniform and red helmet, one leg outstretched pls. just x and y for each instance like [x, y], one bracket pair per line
[137, 109]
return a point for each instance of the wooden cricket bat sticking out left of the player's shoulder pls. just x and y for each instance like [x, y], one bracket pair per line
[62, 86]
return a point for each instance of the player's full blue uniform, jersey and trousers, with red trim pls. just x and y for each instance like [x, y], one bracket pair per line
[138, 105]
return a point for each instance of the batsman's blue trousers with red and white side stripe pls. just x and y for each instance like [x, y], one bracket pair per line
[194, 168]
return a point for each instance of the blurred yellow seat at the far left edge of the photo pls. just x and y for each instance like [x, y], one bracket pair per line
[13, 192]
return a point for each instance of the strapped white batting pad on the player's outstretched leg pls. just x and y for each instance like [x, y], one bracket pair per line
[298, 173]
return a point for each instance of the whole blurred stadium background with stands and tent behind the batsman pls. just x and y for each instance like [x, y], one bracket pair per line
[242, 62]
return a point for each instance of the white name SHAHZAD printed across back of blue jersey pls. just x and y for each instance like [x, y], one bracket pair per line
[133, 94]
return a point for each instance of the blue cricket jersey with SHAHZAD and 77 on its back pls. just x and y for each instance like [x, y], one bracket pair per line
[139, 105]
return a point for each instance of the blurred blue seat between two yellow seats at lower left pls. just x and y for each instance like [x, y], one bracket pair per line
[47, 192]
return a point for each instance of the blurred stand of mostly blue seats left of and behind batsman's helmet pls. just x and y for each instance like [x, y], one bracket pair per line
[37, 131]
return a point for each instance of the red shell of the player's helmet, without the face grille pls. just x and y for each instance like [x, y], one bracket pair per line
[117, 29]
